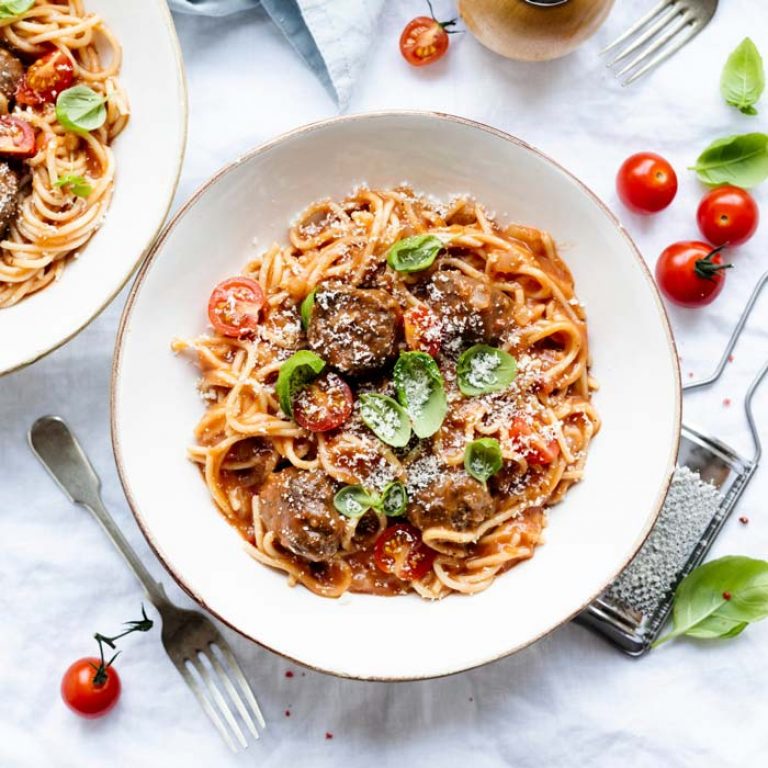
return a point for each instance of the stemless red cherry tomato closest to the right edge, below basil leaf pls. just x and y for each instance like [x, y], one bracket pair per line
[728, 215]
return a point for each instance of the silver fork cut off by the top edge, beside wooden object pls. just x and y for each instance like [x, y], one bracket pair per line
[664, 30]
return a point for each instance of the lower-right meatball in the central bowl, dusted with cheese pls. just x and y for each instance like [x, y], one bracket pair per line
[452, 500]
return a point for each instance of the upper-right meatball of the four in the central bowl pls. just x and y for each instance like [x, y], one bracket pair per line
[470, 311]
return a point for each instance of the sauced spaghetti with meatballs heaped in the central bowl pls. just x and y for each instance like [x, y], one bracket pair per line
[278, 481]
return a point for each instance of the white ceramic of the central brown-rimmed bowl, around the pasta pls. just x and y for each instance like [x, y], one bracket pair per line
[592, 535]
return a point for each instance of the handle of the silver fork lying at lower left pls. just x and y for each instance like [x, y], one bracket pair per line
[60, 453]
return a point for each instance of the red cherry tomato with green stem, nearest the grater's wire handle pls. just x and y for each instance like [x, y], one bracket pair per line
[690, 273]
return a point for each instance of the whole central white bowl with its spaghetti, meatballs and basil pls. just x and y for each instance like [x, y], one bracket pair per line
[395, 375]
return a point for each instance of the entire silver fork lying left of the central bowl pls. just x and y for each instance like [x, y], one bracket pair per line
[190, 639]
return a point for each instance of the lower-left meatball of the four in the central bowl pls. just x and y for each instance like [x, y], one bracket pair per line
[298, 506]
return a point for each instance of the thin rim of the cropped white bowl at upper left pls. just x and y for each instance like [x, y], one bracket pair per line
[148, 248]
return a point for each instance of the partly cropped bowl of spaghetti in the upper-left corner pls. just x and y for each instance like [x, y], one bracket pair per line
[92, 134]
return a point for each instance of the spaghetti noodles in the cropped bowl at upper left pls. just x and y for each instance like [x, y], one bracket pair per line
[54, 219]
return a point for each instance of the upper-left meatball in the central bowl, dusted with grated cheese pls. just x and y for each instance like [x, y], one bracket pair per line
[354, 329]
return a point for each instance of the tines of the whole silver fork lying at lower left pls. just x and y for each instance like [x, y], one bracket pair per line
[209, 673]
